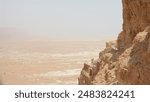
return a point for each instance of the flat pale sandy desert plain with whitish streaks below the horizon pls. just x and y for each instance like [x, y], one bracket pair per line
[36, 62]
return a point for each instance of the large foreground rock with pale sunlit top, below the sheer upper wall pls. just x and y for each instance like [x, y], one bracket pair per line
[136, 69]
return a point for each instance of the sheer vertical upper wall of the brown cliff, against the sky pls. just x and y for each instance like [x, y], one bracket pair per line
[136, 16]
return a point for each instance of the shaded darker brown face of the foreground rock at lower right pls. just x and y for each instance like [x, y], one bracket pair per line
[139, 62]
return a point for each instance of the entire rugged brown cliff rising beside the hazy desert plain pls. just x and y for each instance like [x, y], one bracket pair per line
[127, 60]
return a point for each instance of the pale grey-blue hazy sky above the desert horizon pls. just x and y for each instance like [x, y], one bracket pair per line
[60, 19]
